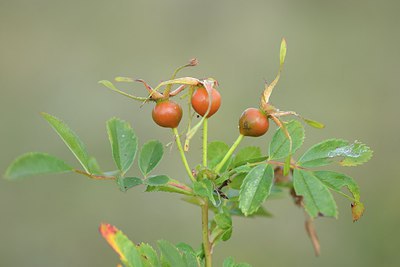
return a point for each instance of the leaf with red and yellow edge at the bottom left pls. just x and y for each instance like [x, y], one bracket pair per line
[126, 250]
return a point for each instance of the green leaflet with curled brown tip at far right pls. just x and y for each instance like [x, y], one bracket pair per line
[336, 181]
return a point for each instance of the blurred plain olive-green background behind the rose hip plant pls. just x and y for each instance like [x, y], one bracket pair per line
[342, 68]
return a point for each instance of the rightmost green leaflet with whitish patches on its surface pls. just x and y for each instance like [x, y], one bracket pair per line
[327, 151]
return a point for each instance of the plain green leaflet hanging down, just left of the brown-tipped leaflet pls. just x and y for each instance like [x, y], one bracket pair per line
[316, 196]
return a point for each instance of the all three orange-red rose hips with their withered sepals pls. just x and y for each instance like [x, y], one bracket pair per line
[206, 100]
